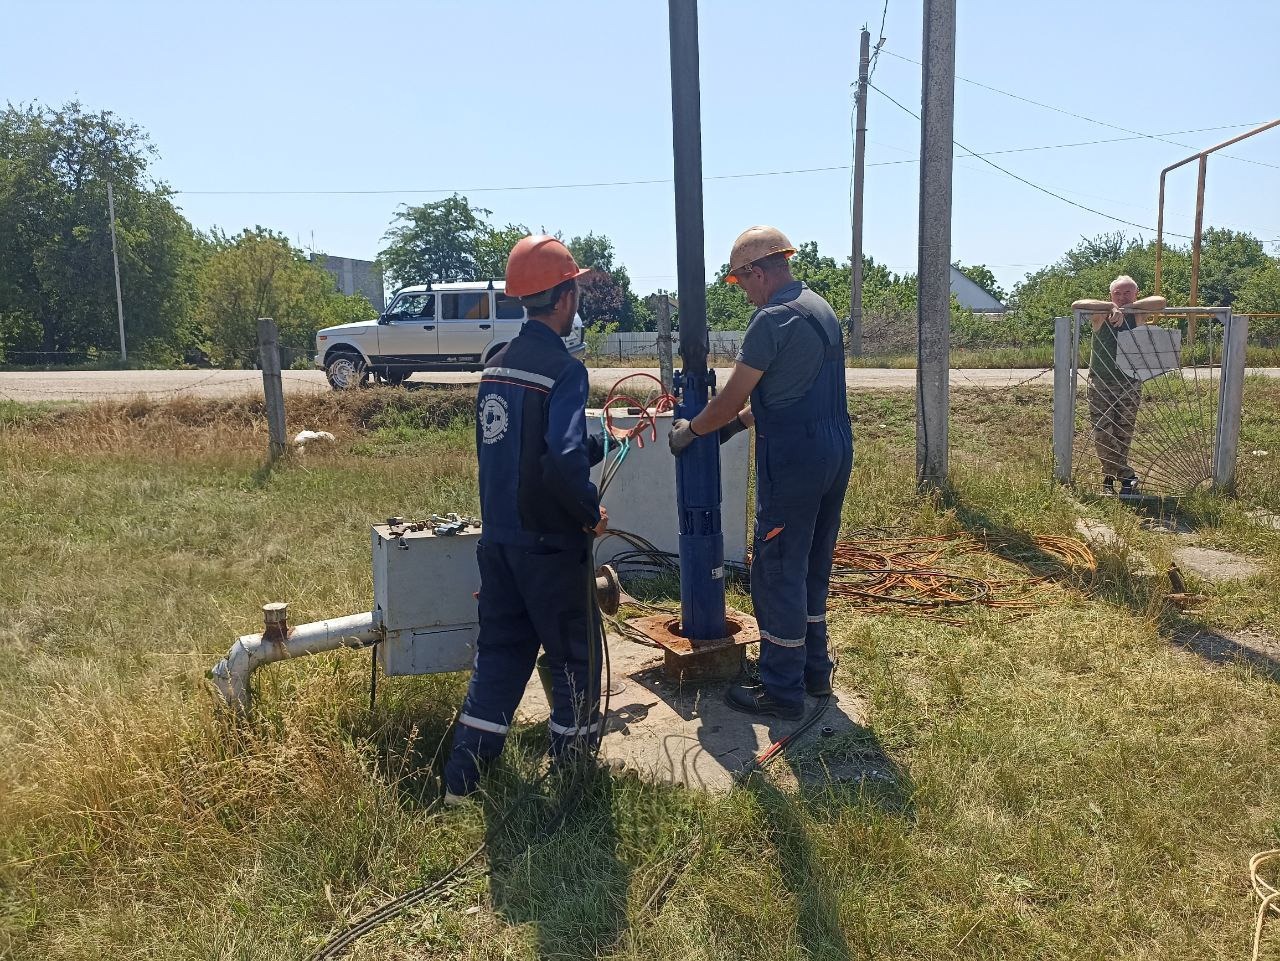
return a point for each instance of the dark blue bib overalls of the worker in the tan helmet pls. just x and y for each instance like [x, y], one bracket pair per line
[804, 454]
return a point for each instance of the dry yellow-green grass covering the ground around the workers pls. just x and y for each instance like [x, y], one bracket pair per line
[1075, 785]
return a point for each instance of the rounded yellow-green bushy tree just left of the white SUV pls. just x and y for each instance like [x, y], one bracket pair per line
[260, 274]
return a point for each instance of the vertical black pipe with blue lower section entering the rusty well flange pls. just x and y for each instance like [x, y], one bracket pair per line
[698, 480]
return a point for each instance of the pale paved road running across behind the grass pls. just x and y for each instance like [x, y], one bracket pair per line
[161, 385]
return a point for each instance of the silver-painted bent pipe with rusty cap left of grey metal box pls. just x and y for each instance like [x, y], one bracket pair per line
[249, 653]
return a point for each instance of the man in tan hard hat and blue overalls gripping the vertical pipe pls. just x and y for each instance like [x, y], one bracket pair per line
[793, 369]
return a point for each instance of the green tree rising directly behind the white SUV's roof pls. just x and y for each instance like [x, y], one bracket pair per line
[437, 242]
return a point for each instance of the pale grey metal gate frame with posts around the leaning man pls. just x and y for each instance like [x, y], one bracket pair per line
[1231, 391]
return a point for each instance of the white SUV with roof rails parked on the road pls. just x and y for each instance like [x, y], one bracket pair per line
[432, 328]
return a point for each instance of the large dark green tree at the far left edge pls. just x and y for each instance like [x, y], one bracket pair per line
[57, 278]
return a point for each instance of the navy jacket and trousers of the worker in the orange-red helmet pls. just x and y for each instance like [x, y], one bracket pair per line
[537, 504]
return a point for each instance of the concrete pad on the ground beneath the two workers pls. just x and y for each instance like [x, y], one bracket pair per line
[687, 735]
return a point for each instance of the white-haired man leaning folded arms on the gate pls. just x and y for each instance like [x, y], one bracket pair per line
[1114, 396]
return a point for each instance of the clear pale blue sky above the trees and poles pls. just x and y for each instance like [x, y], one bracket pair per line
[392, 95]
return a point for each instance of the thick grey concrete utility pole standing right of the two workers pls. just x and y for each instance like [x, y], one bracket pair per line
[934, 317]
